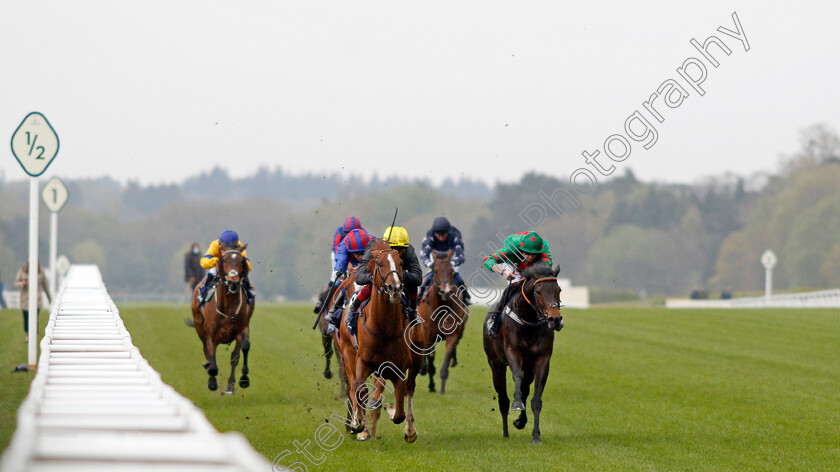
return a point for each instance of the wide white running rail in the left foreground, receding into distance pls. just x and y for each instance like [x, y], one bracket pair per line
[97, 405]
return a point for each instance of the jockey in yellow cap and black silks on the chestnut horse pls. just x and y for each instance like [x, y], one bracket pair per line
[412, 275]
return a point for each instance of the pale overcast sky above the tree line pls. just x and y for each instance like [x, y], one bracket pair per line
[160, 91]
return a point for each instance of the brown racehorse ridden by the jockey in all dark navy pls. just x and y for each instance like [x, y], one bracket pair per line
[444, 316]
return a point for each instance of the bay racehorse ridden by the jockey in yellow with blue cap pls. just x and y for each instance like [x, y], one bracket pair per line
[225, 318]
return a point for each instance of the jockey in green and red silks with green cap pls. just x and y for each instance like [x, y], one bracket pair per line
[519, 251]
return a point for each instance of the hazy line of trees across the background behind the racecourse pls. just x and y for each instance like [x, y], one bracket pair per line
[651, 238]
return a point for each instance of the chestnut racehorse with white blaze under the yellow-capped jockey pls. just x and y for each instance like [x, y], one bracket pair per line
[381, 349]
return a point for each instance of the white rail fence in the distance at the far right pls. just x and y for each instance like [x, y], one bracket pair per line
[818, 299]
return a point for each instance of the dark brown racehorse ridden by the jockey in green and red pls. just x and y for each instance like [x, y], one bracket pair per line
[525, 342]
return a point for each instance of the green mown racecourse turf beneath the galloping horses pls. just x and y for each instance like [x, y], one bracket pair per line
[630, 389]
